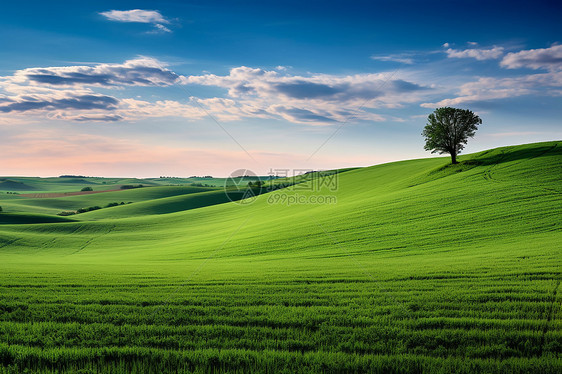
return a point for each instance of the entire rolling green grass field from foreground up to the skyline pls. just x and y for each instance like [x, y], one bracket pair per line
[419, 266]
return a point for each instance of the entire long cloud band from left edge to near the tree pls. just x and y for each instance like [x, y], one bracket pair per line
[69, 93]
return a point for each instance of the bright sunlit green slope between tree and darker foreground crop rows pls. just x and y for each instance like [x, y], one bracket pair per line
[504, 197]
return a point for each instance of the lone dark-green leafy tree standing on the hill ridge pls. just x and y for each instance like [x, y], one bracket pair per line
[448, 130]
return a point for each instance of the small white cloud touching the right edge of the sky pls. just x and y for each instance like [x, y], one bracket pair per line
[544, 58]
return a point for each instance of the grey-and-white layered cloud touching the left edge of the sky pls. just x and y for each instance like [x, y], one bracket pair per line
[67, 92]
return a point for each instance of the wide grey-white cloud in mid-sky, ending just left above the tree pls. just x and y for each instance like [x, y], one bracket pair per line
[315, 98]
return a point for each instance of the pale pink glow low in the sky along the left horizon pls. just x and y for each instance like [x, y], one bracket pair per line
[103, 156]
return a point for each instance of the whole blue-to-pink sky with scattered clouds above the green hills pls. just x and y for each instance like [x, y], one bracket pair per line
[181, 88]
